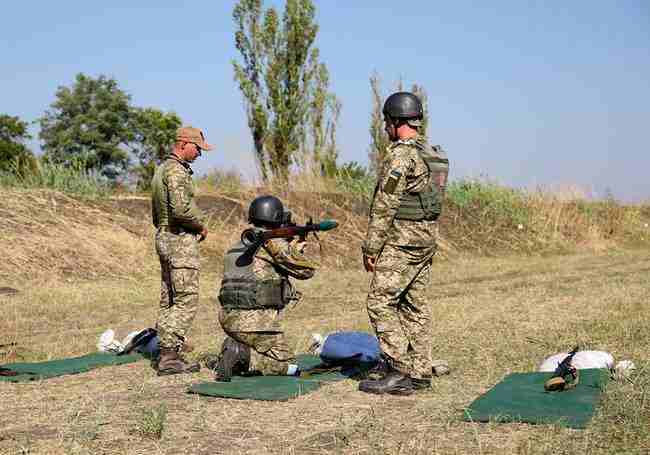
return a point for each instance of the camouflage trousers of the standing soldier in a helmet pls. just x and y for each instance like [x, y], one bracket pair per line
[399, 311]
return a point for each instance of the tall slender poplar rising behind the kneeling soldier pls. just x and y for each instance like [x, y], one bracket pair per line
[283, 84]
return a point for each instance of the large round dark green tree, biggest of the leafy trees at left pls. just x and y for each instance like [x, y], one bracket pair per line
[88, 121]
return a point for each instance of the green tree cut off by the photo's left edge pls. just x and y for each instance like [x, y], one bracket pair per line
[14, 154]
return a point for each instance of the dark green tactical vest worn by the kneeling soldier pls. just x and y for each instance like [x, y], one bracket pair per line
[241, 290]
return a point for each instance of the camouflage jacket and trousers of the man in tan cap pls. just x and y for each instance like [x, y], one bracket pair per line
[178, 222]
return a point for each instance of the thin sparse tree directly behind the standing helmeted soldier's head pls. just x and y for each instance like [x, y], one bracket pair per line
[378, 138]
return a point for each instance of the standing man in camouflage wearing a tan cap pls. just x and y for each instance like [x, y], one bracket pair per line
[180, 227]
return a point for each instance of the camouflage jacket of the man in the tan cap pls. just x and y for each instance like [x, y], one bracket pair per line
[172, 197]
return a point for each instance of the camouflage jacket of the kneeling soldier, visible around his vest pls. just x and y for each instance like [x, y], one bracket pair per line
[278, 256]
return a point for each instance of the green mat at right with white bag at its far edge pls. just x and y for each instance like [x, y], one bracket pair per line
[521, 397]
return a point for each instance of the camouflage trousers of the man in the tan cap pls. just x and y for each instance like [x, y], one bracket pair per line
[179, 290]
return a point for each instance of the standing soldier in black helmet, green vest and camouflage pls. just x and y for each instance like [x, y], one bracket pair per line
[399, 247]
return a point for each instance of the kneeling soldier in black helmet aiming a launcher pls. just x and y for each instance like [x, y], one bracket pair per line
[253, 293]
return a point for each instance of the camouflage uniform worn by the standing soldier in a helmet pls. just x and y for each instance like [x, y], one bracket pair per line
[397, 304]
